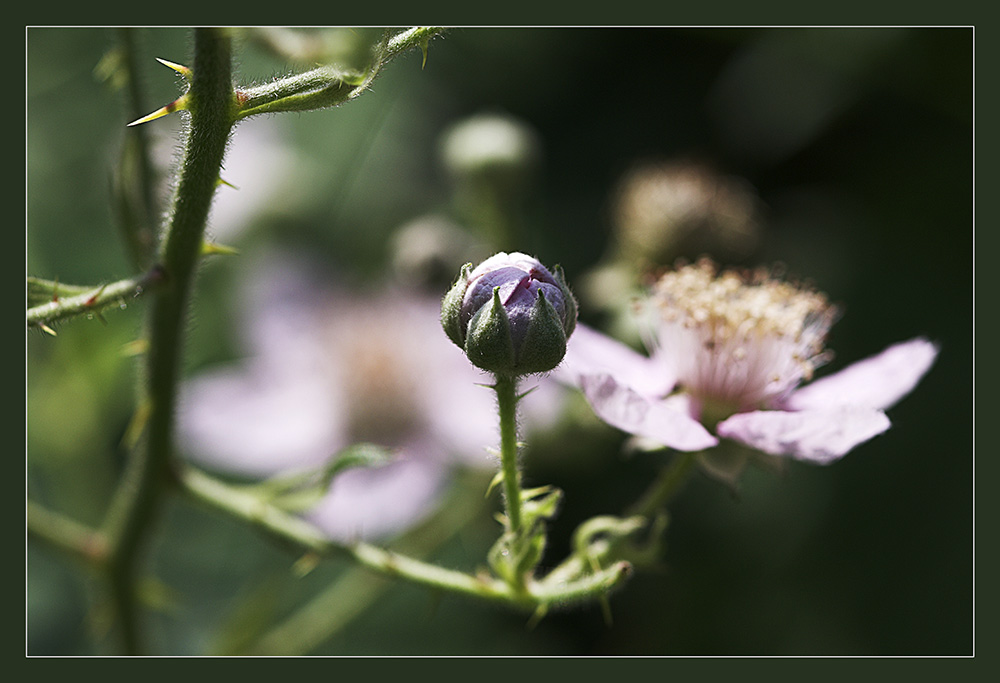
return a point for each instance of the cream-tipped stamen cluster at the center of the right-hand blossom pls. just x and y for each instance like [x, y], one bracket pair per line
[737, 339]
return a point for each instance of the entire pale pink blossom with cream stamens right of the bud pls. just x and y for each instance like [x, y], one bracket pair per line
[728, 353]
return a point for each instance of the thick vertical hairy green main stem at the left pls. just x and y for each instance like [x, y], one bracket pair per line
[137, 499]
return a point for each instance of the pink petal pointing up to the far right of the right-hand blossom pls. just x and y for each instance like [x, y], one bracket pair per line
[875, 382]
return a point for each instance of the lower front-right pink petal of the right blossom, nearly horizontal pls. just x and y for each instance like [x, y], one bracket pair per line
[819, 436]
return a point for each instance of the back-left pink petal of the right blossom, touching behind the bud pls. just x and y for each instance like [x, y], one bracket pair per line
[588, 352]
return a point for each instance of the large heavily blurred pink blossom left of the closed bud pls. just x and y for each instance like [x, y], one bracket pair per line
[328, 368]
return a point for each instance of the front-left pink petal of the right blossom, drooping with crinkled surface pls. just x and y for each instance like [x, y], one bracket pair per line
[621, 407]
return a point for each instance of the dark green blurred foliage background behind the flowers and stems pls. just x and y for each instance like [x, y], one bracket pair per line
[858, 143]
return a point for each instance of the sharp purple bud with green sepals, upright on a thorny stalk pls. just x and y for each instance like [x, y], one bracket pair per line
[510, 315]
